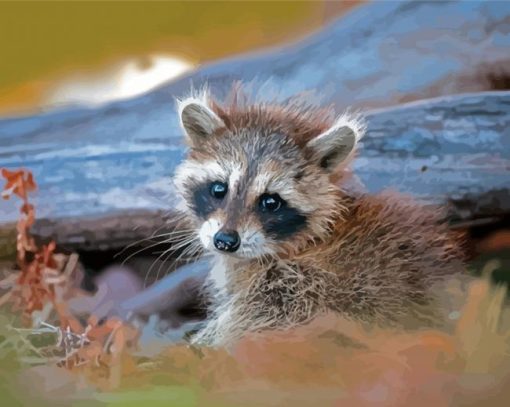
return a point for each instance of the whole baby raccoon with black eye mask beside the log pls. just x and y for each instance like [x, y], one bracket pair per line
[262, 186]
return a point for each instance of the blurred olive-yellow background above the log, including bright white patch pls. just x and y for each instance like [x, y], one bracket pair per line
[92, 52]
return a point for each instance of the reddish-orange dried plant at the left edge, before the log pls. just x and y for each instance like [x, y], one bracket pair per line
[43, 279]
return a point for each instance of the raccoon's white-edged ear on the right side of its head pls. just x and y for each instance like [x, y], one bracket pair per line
[331, 148]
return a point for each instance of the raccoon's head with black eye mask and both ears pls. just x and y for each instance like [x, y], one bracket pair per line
[258, 180]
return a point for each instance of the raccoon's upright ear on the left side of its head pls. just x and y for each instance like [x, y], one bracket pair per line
[198, 120]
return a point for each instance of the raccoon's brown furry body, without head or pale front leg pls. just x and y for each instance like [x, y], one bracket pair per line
[383, 255]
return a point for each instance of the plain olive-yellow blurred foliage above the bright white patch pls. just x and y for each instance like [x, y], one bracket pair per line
[38, 38]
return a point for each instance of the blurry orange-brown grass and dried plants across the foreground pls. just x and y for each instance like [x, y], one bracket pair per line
[331, 361]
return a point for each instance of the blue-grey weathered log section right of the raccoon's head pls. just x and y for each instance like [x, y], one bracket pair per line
[454, 150]
